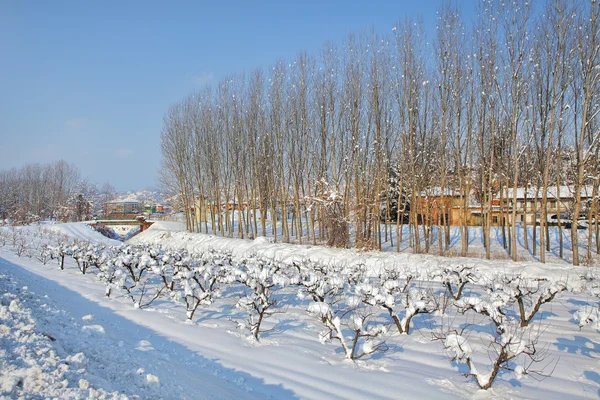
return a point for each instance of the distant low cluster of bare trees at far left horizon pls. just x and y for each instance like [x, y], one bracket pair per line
[37, 192]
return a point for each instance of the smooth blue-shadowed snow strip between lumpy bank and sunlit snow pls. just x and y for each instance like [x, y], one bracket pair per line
[122, 355]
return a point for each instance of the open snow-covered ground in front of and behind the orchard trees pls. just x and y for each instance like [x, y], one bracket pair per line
[154, 353]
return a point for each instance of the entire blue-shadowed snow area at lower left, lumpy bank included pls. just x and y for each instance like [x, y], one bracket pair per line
[57, 343]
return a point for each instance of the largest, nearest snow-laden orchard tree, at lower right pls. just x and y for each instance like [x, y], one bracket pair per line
[510, 343]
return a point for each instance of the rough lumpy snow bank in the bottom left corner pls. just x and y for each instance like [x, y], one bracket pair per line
[33, 361]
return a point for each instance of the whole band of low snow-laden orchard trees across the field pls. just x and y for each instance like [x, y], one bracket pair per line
[358, 307]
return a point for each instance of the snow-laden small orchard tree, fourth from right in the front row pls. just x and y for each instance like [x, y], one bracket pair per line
[197, 280]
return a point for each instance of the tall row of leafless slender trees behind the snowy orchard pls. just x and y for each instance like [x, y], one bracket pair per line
[349, 143]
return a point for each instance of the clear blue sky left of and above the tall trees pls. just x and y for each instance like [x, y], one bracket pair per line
[89, 82]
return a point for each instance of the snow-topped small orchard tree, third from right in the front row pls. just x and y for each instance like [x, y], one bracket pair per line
[262, 278]
